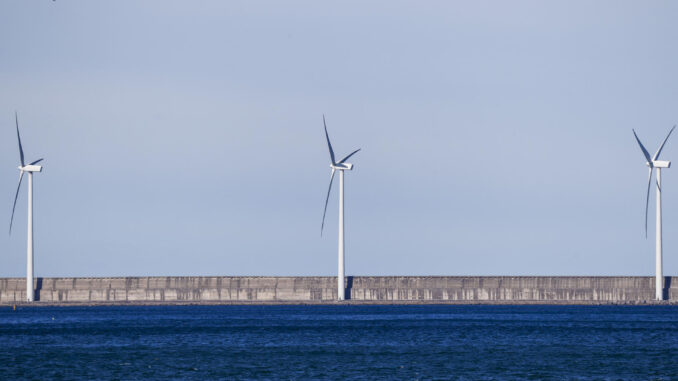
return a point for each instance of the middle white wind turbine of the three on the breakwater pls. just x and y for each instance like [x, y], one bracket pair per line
[340, 166]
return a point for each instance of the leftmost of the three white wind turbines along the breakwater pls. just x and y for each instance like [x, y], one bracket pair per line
[23, 168]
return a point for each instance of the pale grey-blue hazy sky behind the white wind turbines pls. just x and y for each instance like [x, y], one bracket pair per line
[186, 138]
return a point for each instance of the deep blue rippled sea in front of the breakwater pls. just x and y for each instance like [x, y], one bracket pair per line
[340, 342]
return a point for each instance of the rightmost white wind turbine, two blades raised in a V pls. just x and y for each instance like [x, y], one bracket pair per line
[653, 163]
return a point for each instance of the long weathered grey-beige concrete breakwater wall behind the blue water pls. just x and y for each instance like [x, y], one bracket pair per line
[359, 289]
